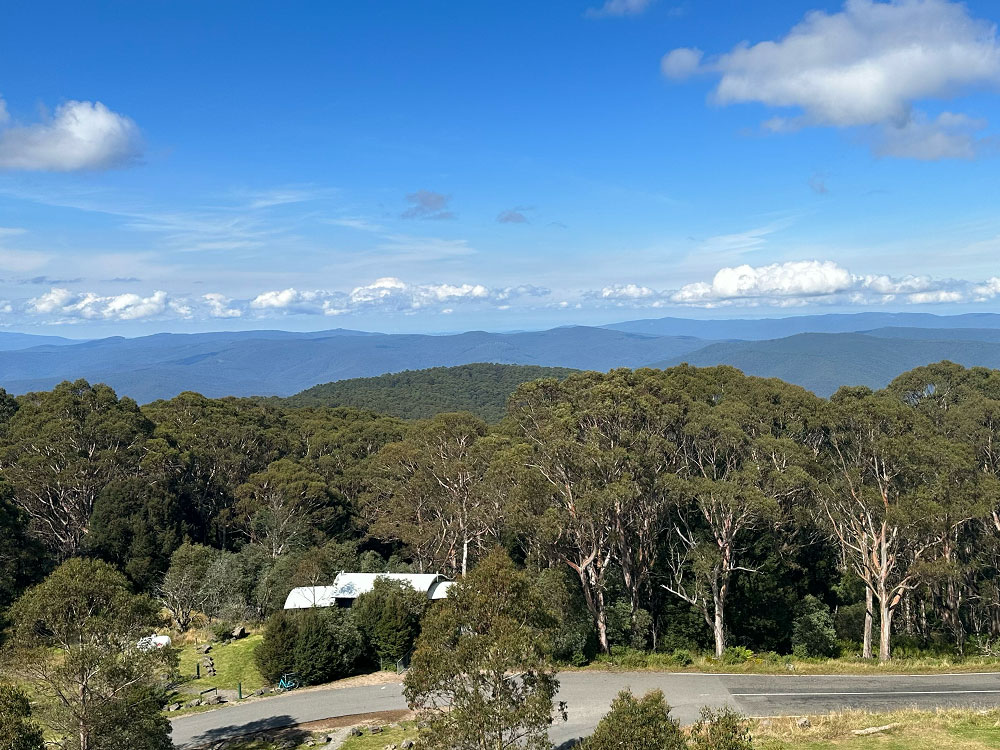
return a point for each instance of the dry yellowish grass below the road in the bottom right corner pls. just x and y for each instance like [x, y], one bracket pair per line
[952, 729]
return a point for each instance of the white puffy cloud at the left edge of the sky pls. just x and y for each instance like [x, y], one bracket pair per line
[79, 136]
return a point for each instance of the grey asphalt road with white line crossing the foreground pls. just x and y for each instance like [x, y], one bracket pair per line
[588, 695]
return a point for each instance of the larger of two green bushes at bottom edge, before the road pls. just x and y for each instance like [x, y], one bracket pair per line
[637, 724]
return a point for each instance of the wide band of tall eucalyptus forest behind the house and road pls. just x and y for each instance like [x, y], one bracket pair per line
[686, 508]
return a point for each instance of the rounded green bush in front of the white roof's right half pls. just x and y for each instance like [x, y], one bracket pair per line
[389, 617]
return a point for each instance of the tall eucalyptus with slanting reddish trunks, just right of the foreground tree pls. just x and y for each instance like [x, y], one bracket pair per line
[598, 443]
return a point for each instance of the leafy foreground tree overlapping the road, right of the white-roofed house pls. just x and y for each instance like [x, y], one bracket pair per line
[492, 625]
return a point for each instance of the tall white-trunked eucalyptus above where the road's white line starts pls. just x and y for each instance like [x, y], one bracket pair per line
[746, 446]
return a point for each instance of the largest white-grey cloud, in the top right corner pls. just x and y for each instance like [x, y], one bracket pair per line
[865, 66]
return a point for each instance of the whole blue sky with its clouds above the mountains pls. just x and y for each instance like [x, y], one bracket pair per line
[441, 166]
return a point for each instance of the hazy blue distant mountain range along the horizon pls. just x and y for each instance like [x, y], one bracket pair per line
[819, 352]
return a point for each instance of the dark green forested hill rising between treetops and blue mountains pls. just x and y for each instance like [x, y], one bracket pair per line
[481, 388]
